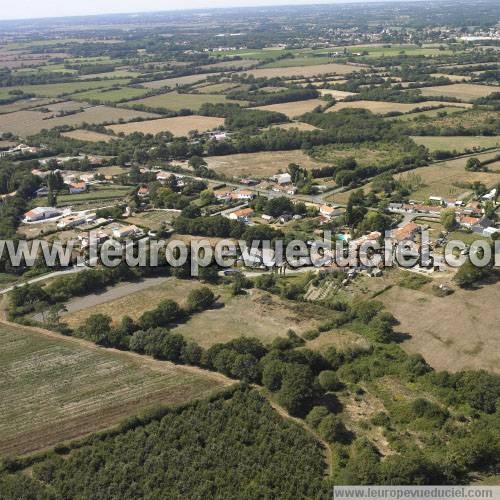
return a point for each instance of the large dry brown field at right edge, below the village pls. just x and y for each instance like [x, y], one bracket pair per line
[447, 340]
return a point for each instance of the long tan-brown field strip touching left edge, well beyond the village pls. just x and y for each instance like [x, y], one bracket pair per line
[26, 123]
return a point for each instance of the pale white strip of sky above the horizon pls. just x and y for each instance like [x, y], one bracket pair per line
[30, 9]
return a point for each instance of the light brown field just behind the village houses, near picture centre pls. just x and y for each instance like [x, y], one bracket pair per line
[259, 165]
